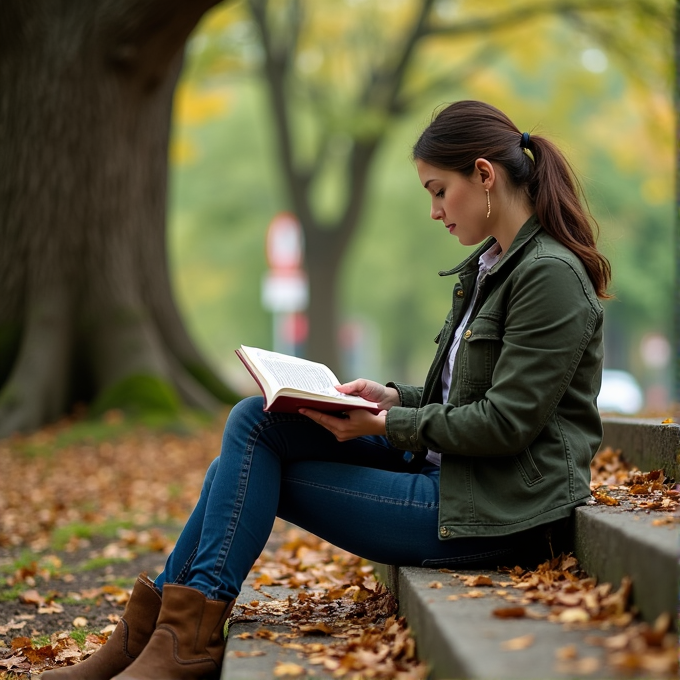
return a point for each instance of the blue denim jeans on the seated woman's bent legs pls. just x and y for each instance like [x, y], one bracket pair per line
[360, 495]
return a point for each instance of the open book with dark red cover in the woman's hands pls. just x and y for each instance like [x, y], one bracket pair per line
[289, 383]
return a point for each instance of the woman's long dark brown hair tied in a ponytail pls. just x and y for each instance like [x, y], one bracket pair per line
[467, 130]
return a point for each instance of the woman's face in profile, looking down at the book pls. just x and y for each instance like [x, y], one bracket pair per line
[458, 201]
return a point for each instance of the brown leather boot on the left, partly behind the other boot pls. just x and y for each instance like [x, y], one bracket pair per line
[126, 642]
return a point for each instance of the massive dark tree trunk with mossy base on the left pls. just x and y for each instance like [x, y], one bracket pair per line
[86, 309]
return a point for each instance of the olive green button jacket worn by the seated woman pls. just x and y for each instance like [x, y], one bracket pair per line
[521, 423]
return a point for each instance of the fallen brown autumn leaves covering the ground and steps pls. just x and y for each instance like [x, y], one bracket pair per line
[83, 511]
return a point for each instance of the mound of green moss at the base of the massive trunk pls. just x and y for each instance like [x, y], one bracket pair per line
[139, 394]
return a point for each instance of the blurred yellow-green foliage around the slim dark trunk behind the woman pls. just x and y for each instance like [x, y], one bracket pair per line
[616, 129]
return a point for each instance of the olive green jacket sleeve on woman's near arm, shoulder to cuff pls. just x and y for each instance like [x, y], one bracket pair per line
[550, 320]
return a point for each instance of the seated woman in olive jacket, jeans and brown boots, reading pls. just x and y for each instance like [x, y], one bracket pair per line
[476, 468]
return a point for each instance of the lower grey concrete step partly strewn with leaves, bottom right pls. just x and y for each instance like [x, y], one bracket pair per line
[463, 639]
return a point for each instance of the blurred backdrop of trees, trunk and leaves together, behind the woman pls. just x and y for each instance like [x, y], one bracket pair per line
[323, 100]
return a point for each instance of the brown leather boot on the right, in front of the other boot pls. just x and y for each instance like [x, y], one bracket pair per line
[188, 641]
